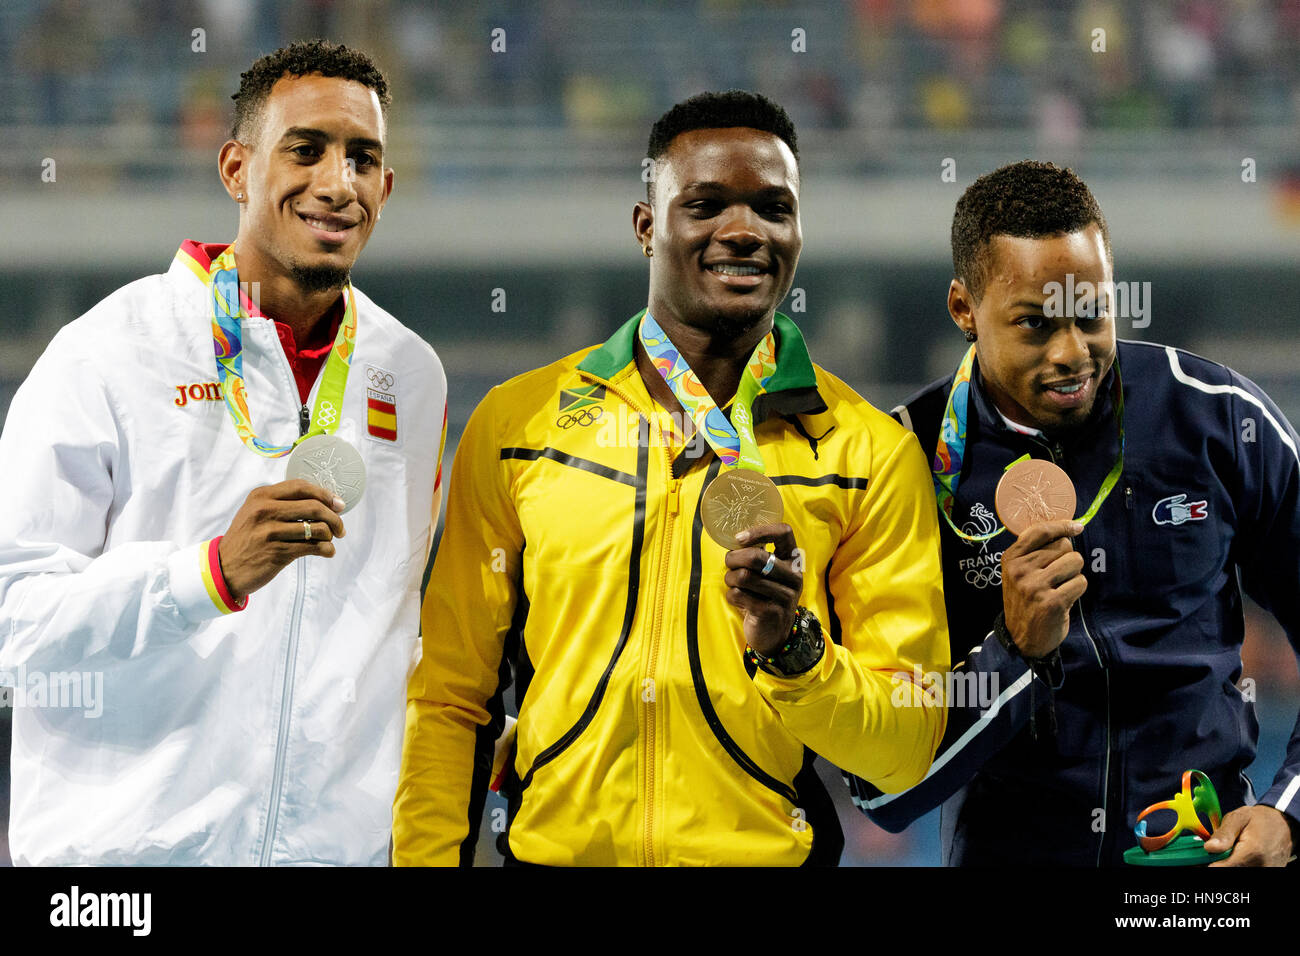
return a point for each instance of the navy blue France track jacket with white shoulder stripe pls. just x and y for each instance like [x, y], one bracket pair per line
[1208, 505]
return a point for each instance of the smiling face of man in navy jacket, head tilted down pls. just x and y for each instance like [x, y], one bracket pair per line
[1041, 371]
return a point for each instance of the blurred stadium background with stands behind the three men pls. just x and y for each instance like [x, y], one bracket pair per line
[518, 171]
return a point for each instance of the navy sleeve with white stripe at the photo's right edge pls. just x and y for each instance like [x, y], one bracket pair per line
[1269, 540]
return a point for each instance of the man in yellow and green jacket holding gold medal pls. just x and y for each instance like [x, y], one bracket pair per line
[674, 691]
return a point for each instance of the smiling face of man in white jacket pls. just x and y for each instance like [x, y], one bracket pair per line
[314, 181]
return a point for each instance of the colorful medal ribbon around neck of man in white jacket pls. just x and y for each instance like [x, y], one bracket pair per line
[228, 344]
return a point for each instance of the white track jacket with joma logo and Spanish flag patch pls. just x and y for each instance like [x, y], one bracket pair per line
[149, 726]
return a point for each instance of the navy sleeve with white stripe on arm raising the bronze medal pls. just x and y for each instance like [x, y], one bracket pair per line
[990, 699]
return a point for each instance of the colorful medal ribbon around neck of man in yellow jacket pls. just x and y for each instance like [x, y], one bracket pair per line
[733, 439]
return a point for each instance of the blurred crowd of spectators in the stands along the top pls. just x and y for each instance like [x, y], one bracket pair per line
[1058, 68]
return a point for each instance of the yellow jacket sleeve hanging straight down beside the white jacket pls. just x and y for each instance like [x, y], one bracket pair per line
[454, 697]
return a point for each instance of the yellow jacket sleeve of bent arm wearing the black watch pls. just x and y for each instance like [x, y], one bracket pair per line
[863, 708]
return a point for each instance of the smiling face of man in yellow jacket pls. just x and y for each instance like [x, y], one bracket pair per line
[725, 230]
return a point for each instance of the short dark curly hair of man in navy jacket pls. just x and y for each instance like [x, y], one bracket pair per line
[1028, 200]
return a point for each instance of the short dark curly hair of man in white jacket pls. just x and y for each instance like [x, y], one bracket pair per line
[302, 59]
